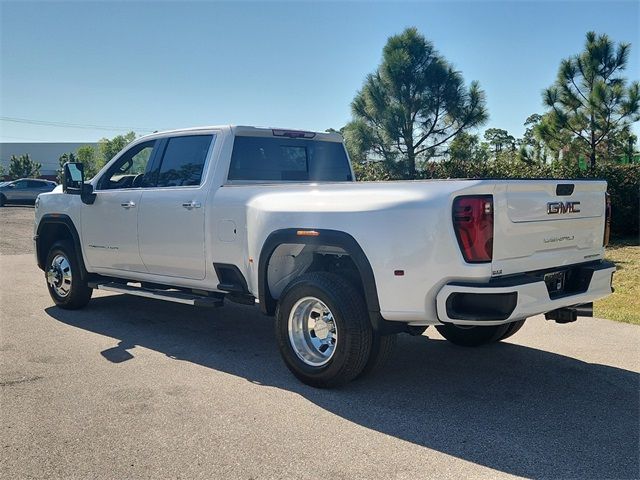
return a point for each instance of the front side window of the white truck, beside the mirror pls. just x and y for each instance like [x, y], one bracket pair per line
[129, 170]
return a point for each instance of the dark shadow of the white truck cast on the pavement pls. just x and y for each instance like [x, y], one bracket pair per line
[512, 408]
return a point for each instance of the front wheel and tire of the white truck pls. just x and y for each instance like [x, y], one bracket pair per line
[64, 277]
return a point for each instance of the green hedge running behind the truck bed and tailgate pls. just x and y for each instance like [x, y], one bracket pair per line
[623, 181]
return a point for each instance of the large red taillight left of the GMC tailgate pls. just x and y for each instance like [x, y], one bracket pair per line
[473, 223]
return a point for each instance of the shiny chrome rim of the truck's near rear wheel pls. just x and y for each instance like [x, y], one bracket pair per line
[312, 331]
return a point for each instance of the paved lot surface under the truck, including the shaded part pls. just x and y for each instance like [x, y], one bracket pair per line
[137, 388]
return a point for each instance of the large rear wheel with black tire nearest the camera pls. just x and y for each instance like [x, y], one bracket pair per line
[323, 330]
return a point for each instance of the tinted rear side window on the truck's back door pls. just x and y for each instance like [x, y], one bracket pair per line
[183, 161]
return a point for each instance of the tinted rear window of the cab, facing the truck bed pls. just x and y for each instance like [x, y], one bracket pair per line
[269, 159]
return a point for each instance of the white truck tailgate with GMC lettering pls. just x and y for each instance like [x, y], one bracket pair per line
[541, 224]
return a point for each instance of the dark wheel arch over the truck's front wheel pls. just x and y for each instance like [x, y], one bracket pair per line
[53, 227]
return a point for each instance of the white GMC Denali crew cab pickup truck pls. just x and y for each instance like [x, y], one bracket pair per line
[275, 217]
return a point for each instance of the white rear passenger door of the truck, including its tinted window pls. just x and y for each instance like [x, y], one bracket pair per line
[171, 218]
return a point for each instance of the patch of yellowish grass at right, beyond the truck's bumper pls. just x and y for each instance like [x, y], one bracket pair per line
[624, 304]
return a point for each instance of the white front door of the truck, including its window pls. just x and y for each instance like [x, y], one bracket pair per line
[110, 224]
